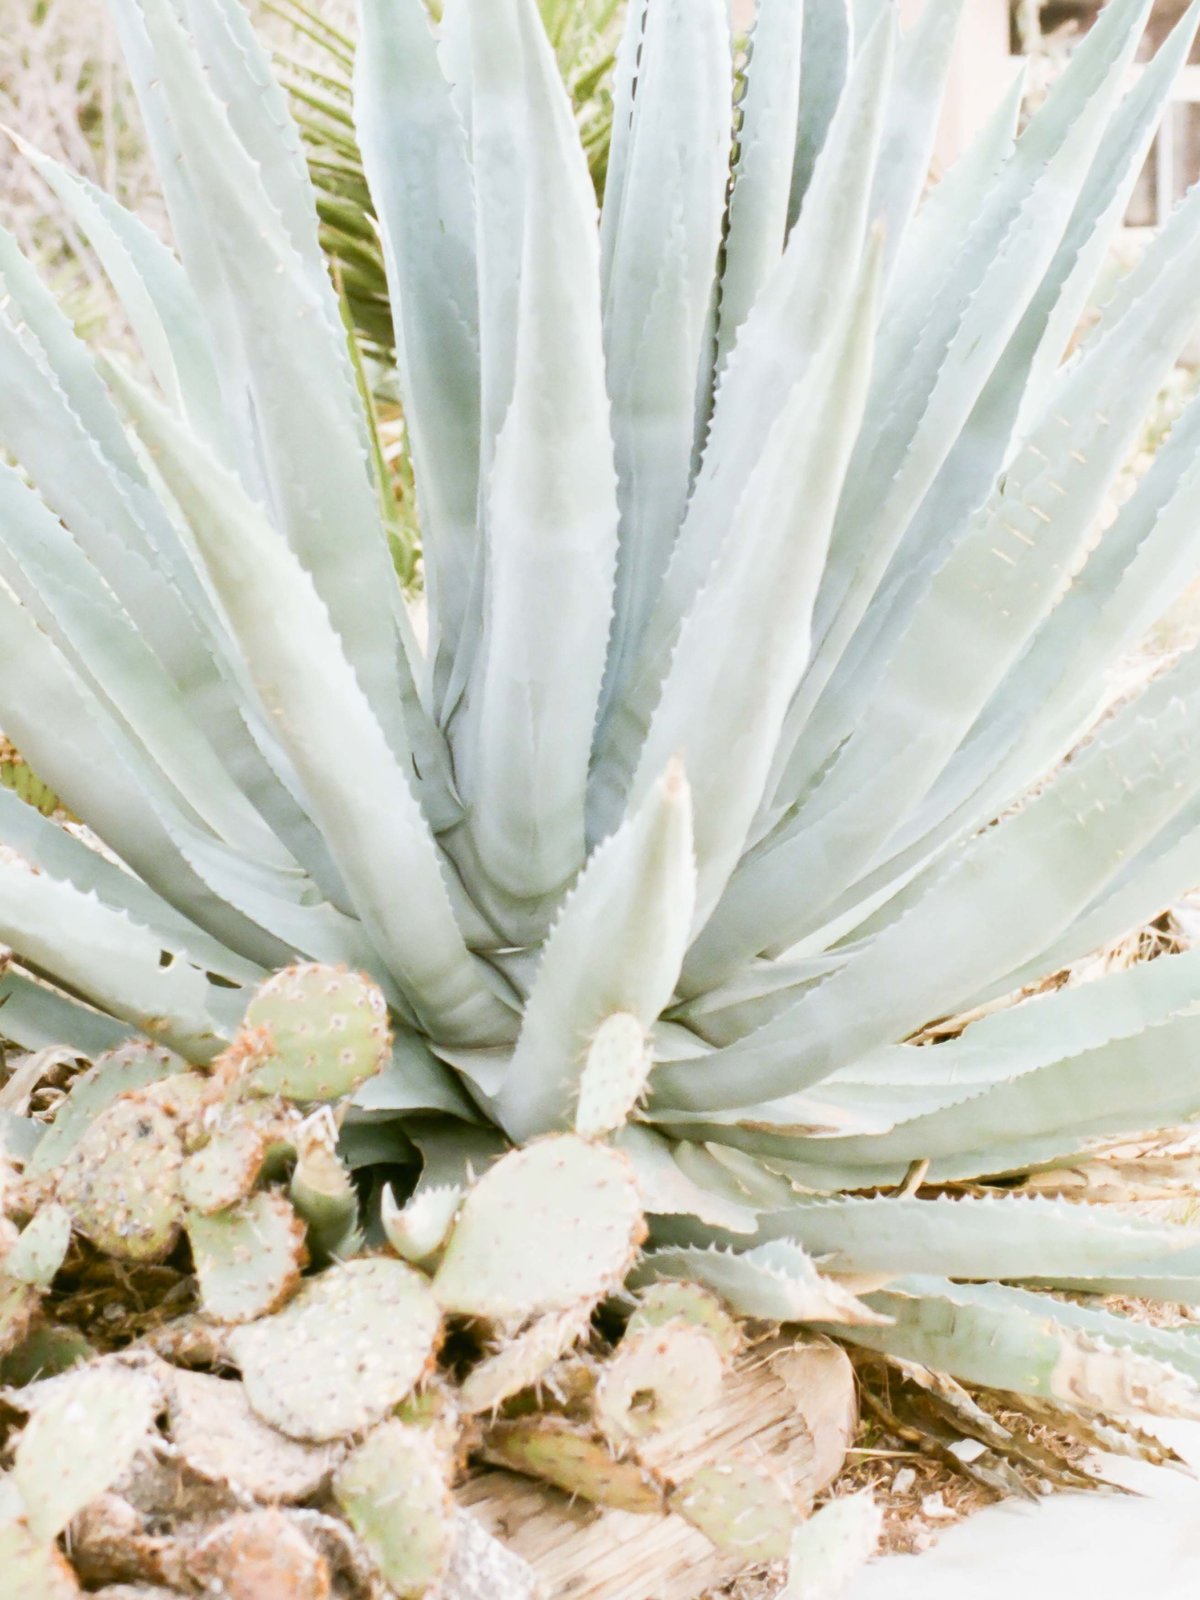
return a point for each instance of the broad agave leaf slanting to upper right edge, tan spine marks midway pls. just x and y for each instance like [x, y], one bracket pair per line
[1010, 564]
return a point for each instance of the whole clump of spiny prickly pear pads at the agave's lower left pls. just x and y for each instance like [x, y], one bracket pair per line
[335, 1359]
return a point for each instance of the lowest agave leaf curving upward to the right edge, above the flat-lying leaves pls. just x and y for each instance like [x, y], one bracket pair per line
[1084, 822]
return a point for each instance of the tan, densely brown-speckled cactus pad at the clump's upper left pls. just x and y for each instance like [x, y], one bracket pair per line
[121, 1182]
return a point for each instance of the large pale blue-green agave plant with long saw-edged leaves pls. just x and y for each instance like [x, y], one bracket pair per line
[762, 585]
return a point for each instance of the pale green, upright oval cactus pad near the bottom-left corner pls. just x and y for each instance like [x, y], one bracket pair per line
[82, 1436]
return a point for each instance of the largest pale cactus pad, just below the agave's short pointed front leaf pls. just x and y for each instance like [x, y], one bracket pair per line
[548, 1228]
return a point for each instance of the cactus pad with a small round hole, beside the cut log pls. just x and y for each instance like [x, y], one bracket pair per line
[657, 1380]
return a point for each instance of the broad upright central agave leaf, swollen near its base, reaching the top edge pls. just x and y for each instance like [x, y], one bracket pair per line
[550, 511]
